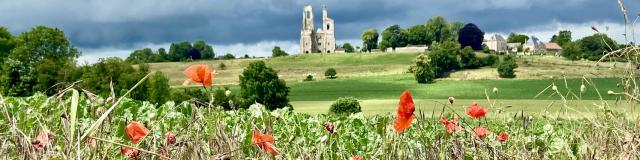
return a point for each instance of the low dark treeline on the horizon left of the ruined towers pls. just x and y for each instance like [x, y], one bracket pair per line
[181, 51]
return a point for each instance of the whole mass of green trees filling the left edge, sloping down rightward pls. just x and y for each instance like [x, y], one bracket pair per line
[43, 60]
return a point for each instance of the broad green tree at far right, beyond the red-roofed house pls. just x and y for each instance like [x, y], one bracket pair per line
[595, 46]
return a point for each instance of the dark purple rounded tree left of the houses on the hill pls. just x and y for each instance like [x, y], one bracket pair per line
[471, 35]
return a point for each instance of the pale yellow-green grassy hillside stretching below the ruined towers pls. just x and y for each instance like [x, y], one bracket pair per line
[294, 68]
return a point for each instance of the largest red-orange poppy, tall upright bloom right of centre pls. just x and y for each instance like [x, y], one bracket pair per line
[405, 112]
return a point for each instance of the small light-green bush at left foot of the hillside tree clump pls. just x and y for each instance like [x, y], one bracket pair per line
[422, 69]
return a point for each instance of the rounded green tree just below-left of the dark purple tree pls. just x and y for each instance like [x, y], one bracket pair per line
[444, 58]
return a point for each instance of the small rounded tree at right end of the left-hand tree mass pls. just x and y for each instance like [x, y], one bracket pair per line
[159, 91]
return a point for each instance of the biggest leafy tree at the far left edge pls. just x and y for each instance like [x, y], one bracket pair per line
[44, 57]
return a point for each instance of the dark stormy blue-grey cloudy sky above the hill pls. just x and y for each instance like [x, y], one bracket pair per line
[117, 27]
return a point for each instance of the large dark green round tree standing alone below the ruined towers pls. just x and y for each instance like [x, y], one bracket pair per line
[259, 83]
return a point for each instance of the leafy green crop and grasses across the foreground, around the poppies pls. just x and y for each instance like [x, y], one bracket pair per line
[213, 133]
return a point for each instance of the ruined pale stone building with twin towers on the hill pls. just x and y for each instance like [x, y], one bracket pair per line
[321, 41]
